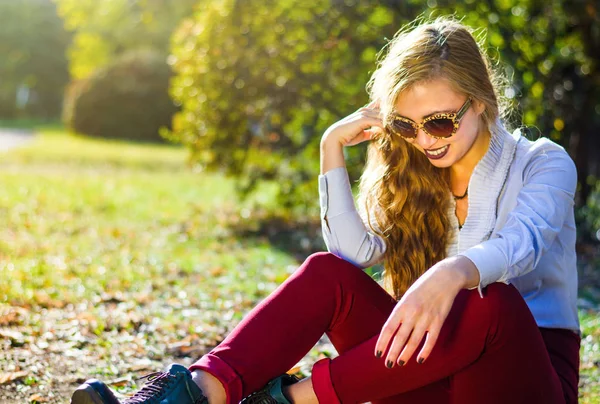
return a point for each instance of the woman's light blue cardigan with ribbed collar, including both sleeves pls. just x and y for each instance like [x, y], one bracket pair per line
[520, 226]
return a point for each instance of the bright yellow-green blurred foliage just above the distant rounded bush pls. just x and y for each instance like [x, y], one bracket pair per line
[105, 29]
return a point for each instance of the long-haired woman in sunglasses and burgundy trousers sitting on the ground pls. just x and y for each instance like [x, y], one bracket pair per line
[475, 227]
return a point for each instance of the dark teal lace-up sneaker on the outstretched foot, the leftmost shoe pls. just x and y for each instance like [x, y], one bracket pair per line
[175, 386]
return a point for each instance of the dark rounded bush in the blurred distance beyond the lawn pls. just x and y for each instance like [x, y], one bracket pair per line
[128, 99]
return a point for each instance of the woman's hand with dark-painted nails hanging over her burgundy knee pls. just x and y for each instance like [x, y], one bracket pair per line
[423, 309]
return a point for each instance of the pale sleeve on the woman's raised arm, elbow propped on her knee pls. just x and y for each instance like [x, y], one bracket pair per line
[344, 231]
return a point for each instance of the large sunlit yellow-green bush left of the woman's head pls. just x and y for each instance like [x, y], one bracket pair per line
[260, 82]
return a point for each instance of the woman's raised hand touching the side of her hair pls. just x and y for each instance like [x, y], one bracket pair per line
[357, 127]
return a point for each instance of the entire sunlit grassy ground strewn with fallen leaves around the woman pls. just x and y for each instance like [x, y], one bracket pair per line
[117, 257]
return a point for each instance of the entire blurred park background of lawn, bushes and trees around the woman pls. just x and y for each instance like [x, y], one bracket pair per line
[158, 163]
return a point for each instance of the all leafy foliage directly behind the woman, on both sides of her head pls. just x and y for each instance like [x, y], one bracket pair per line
[259, 82]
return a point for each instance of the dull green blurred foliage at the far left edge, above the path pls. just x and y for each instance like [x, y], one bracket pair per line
[33, 66]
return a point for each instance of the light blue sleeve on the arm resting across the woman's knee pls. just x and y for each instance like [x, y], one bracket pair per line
[543, 203]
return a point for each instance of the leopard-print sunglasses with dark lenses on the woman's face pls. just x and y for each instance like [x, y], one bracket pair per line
[439, 126]
